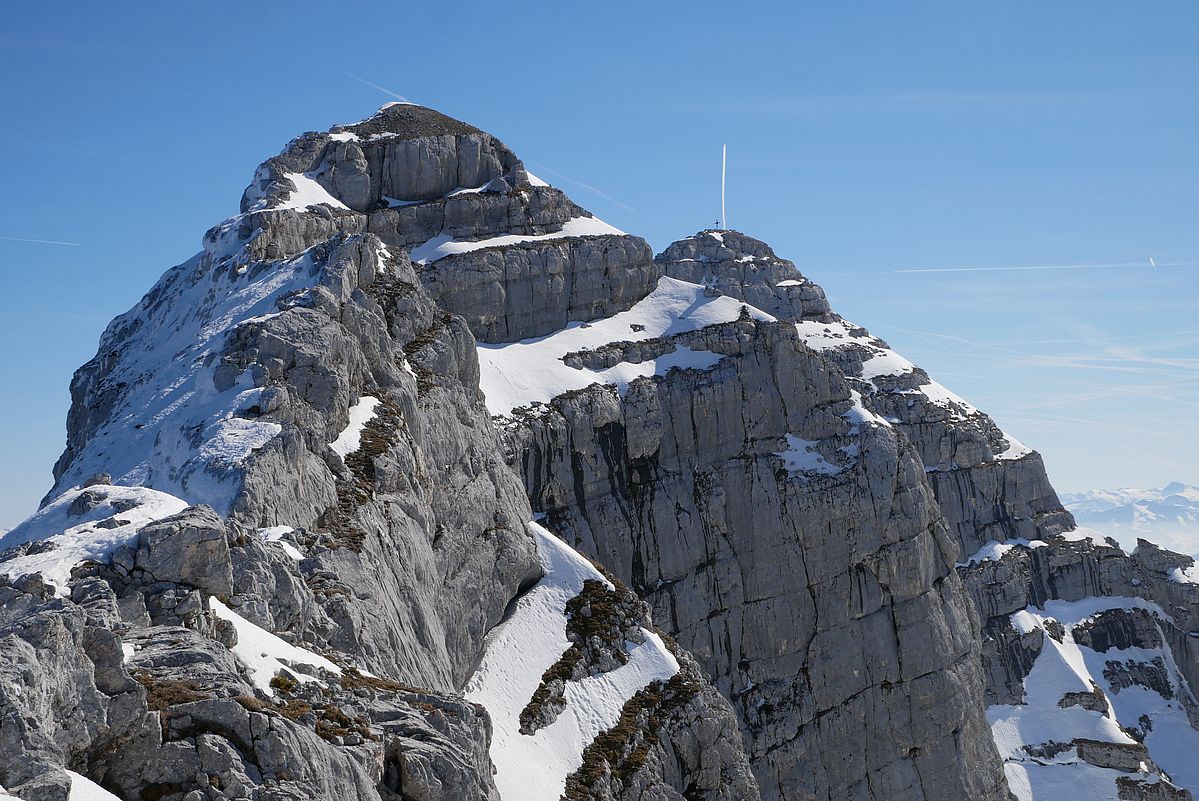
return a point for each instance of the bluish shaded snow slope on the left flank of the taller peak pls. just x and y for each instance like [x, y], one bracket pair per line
[180, 426]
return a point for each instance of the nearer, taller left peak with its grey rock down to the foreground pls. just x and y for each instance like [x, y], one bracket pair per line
[328, 411]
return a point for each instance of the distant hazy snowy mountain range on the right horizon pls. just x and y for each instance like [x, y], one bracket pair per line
[1167, 516]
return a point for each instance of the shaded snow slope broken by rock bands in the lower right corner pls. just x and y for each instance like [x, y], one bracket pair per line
[1075, 695]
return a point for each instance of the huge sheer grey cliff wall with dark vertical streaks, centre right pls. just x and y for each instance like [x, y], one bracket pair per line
[824, 606]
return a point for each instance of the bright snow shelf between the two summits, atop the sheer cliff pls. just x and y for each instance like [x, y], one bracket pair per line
[521, 374]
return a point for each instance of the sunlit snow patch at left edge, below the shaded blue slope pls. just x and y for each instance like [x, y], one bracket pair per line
[82, 526]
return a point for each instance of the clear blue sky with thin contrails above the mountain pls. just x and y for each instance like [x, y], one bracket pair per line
[865, 140]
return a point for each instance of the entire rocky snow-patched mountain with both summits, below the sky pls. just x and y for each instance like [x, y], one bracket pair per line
[420, 483]
